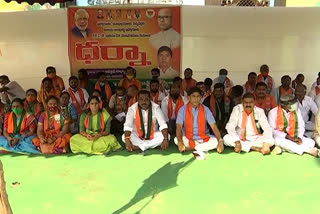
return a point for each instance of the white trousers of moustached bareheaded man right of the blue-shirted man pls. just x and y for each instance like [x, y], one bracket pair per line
[254, 141]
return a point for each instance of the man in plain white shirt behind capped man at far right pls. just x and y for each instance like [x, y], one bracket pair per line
[306, 105]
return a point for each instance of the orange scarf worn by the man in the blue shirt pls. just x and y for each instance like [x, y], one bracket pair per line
[201, 125]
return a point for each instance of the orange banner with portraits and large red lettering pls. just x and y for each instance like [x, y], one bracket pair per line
[111, 39]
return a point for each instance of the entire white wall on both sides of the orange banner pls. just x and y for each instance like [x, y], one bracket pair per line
[239, 39]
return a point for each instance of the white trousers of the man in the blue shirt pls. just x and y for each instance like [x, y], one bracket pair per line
[200, 145]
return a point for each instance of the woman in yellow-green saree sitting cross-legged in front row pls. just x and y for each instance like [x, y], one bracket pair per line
[94, 137]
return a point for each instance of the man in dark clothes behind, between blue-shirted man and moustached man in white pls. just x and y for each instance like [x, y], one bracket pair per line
[219, 105]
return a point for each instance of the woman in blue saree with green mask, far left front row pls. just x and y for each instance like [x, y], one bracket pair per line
[19, 130]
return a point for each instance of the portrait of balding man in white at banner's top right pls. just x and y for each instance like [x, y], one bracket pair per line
[167, 36]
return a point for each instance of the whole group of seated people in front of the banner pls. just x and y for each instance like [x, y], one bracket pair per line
[197, 116]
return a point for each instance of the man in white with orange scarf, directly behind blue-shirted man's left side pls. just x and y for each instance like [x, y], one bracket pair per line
[170, 106]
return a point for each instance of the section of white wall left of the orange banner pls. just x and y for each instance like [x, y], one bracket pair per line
[32, 40]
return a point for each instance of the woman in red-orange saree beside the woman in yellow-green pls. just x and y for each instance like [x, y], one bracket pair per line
[53, 135]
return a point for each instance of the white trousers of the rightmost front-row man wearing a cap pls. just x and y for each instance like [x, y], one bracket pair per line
[292, 147]
